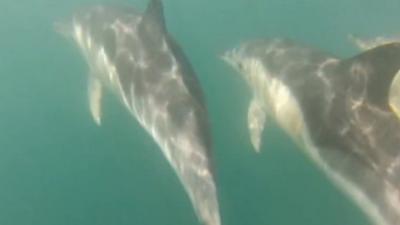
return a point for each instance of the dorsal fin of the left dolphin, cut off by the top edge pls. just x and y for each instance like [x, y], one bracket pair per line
[154, 15]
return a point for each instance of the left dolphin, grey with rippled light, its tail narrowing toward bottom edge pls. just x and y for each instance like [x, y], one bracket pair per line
[133, 55]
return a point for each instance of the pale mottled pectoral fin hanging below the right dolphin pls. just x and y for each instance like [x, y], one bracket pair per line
[256, 121]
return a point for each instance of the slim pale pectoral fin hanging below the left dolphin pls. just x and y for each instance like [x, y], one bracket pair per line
[94, 92]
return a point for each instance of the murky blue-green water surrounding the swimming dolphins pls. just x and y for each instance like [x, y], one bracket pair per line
[58, 168]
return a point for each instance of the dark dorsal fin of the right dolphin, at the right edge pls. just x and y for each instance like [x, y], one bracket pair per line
[374, 70]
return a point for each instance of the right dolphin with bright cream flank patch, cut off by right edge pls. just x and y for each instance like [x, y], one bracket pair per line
[343, 113]
